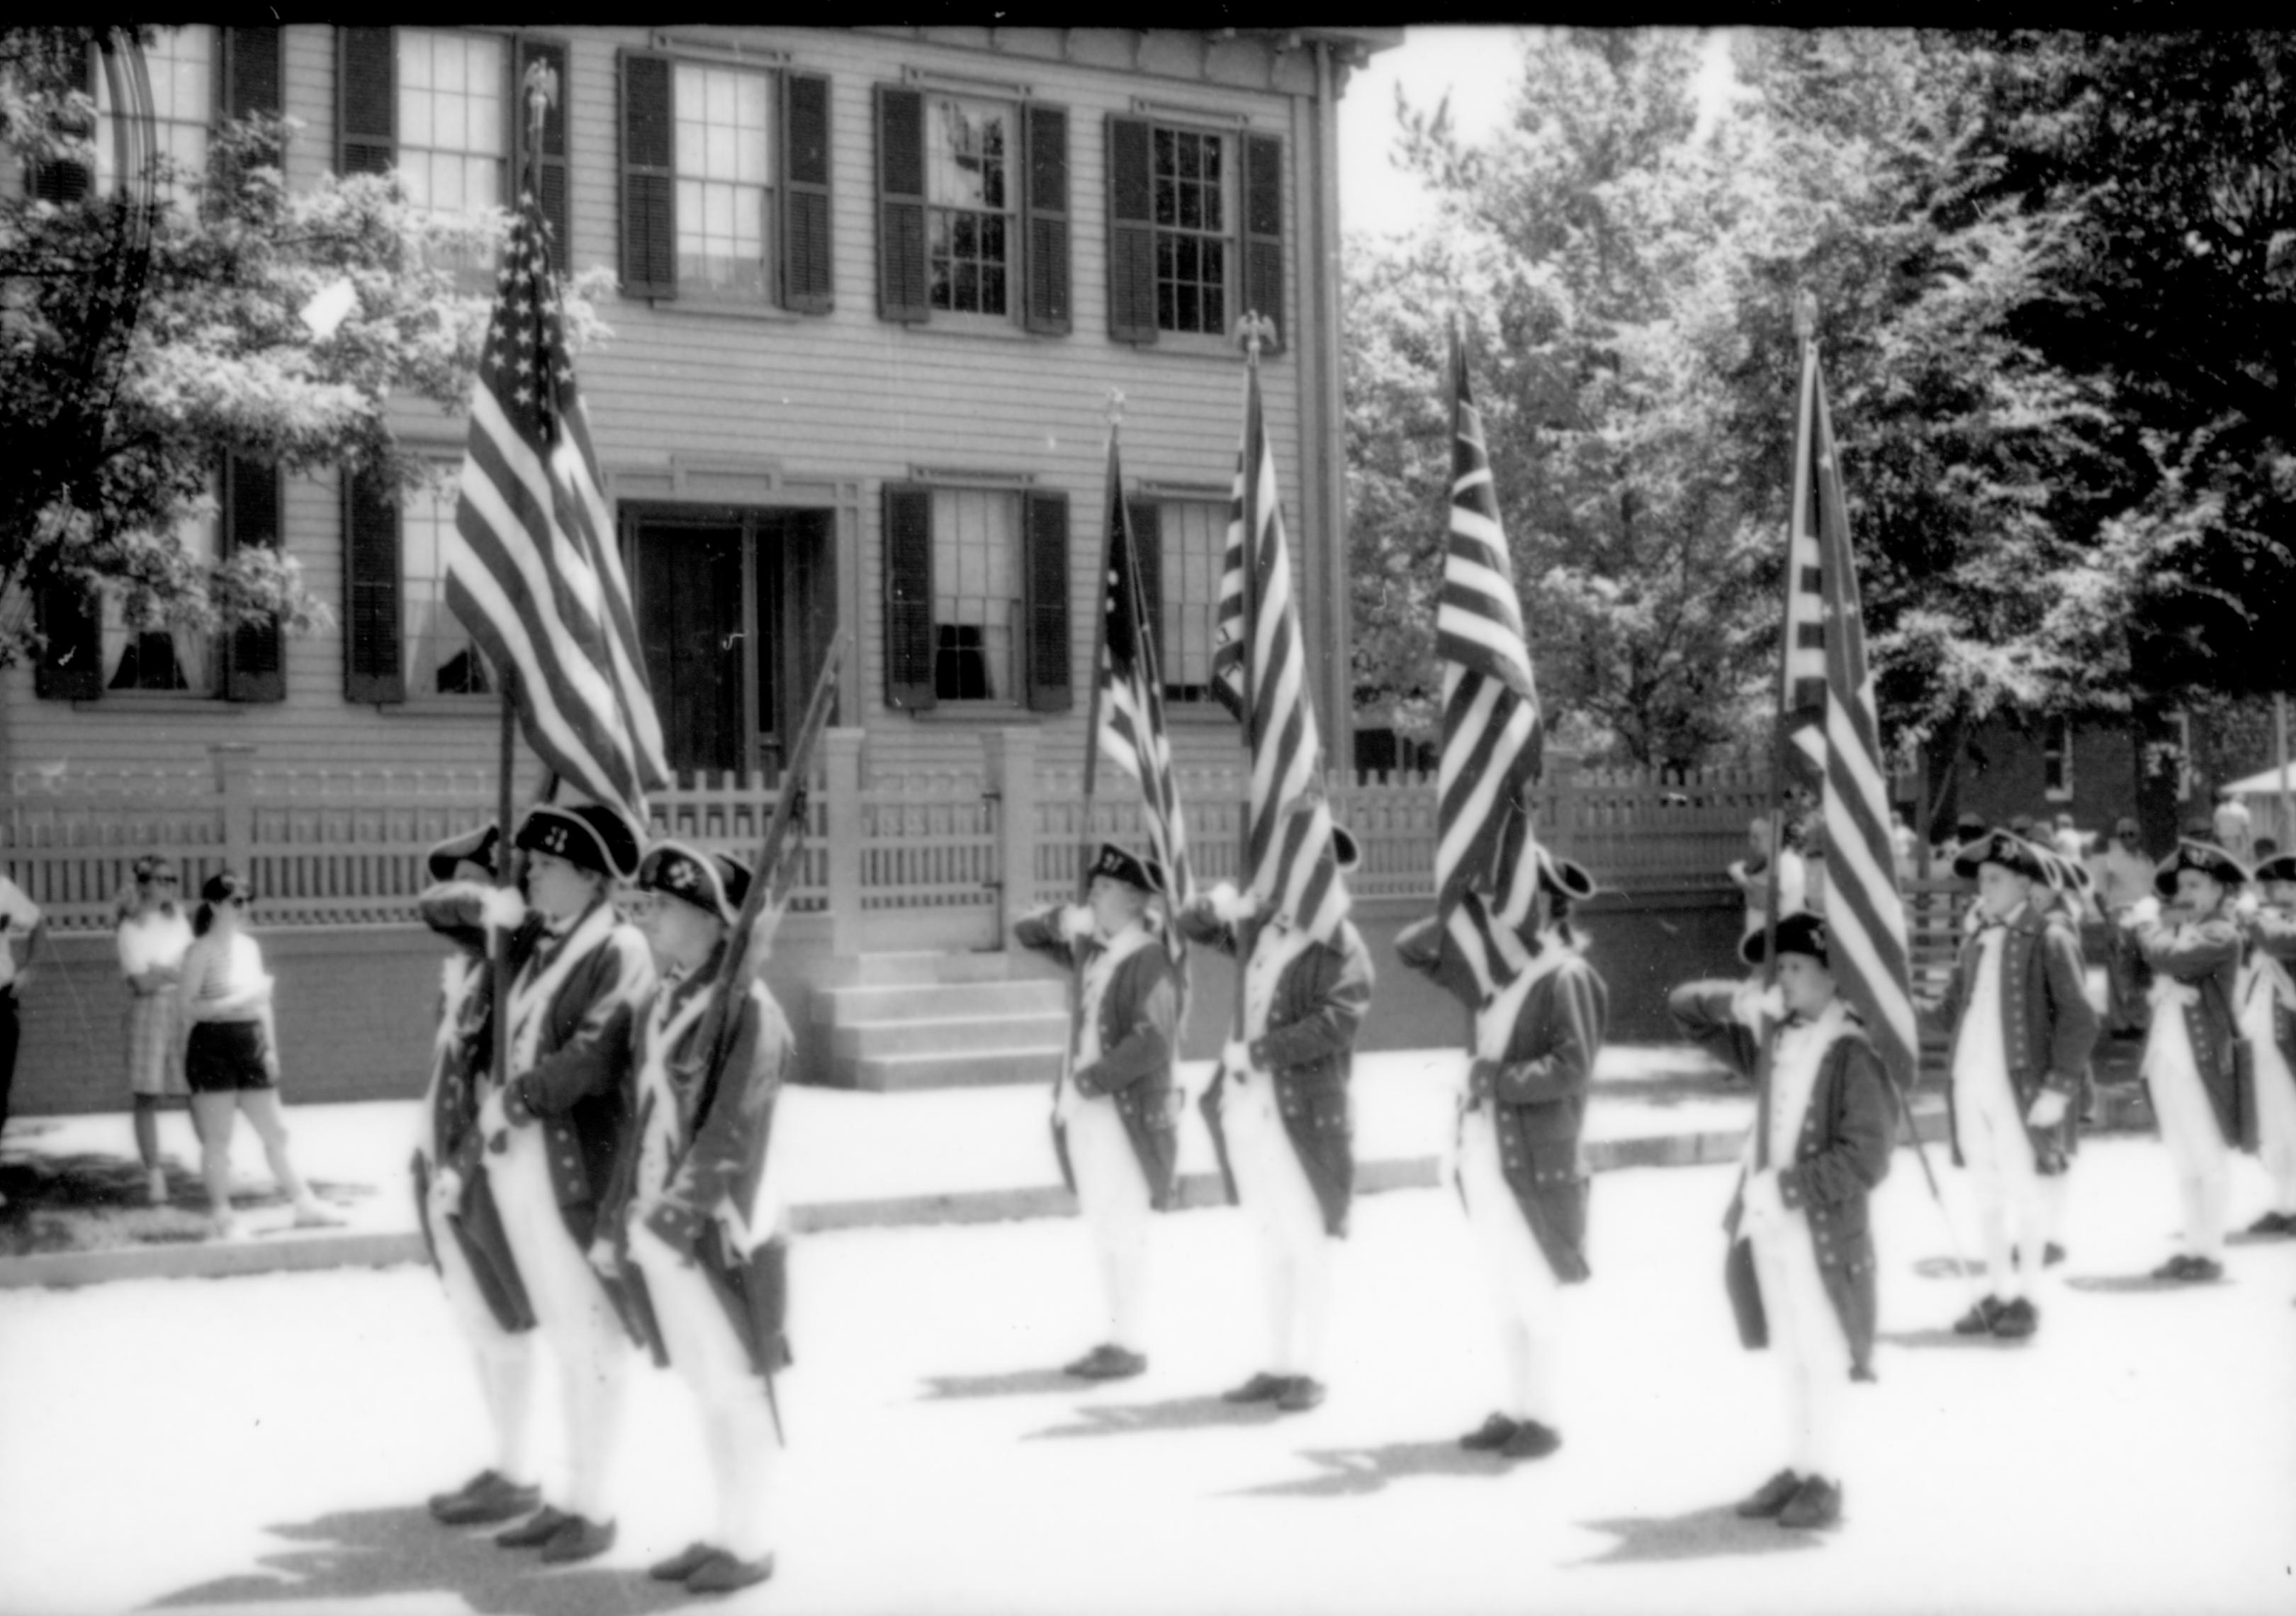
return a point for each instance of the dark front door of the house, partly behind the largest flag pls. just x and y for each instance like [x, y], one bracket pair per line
[736, 612]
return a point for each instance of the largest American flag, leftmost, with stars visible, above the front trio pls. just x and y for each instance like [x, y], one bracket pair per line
[532, 568]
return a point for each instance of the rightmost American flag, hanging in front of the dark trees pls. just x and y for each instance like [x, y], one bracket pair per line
[1836, 743]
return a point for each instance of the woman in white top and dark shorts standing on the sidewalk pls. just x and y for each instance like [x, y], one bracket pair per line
[231, 1057]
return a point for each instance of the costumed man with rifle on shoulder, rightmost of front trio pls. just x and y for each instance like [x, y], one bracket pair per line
[695, 1206]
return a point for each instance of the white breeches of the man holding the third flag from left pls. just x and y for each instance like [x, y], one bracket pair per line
[1296, 1254]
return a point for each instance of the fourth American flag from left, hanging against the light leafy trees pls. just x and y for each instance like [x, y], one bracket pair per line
[1491, 727]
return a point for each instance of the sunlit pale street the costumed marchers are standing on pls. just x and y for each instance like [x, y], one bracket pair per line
[261, 1445]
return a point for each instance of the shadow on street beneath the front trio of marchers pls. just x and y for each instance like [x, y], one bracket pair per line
[362, 1555]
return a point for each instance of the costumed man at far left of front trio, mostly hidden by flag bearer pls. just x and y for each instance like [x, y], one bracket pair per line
[460, 1225]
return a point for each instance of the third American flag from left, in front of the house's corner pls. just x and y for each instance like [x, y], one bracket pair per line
[1259, 671]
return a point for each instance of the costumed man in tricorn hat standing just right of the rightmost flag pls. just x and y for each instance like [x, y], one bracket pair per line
[2022, 1034]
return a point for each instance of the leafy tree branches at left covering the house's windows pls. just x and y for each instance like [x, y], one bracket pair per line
[143, 343]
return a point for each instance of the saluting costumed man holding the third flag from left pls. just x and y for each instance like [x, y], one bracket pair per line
[1282, 1114]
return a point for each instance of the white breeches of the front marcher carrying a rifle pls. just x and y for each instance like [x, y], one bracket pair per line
[729, 1397]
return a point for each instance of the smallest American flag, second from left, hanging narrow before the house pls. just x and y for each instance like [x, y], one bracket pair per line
[1131, 704]
